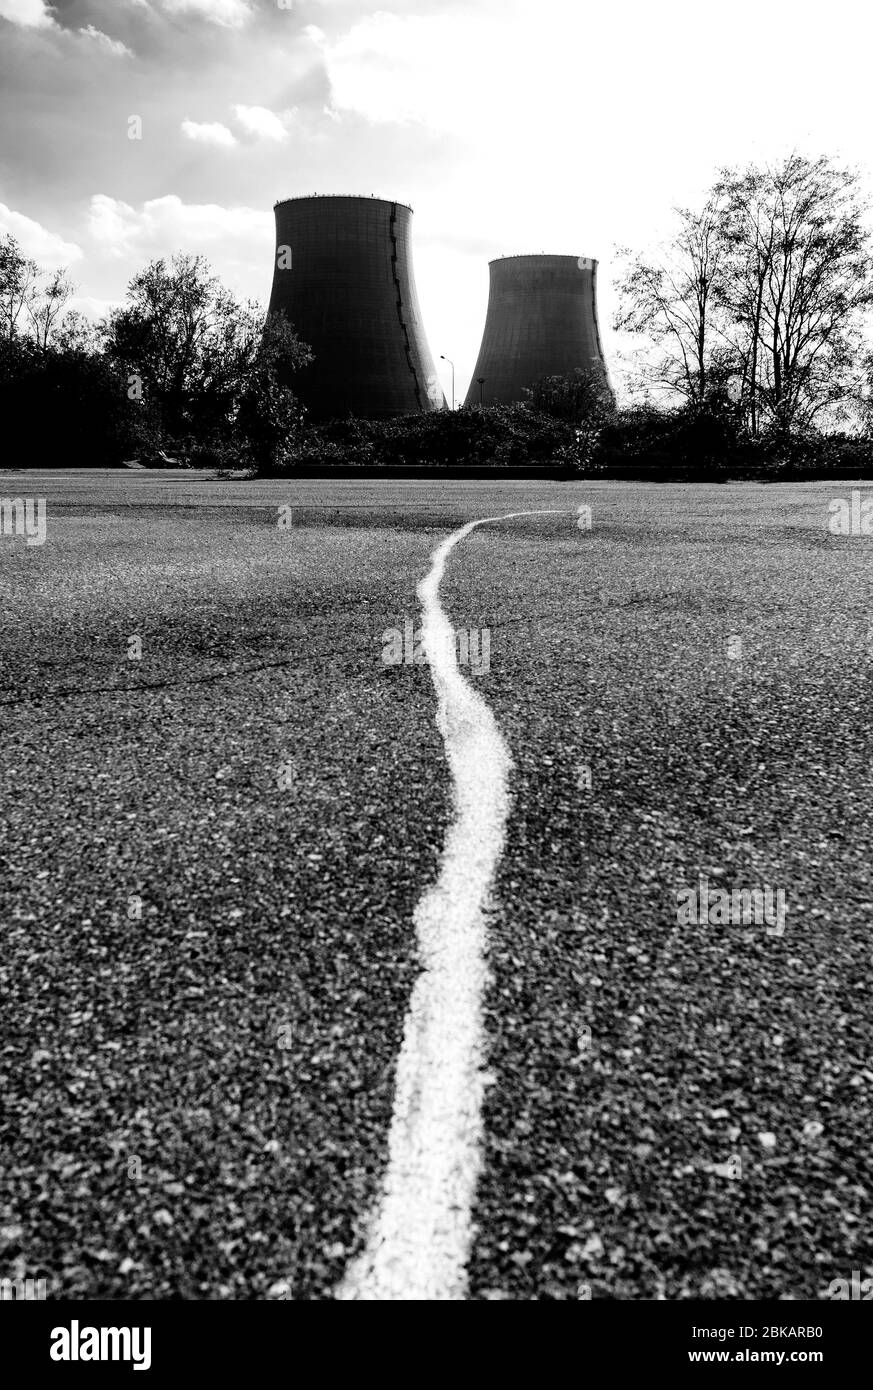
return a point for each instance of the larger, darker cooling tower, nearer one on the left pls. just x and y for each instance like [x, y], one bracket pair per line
[344, 277]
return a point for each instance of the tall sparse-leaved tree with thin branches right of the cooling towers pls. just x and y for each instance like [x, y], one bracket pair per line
[761, 297]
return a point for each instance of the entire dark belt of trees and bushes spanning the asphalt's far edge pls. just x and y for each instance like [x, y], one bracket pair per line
[751, 361]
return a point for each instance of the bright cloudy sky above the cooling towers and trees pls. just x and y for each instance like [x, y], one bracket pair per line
[509, 126]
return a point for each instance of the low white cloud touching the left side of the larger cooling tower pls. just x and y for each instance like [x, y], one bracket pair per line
[165, 226]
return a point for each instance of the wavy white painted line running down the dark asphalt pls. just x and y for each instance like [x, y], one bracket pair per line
[421, 1234]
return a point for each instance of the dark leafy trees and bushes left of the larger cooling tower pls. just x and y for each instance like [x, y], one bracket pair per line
[183, 369]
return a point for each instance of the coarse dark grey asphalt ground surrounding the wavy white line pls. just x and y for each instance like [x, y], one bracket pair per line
[212, 856]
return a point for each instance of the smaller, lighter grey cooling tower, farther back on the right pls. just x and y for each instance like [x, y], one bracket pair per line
[543, 322]
